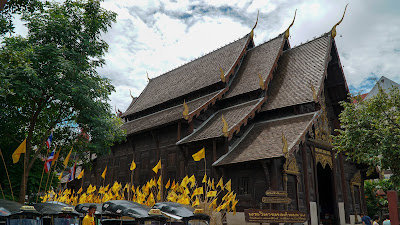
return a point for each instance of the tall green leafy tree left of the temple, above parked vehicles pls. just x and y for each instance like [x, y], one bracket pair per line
[52, 84]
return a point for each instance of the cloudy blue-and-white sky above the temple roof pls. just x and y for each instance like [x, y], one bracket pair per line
[155, 37]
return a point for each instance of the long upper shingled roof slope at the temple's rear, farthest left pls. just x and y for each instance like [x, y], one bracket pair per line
[190, 77]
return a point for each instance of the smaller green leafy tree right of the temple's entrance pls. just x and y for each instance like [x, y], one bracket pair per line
[370, 132]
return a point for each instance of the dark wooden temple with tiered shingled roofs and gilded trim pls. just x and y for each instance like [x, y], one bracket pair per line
[281, 106]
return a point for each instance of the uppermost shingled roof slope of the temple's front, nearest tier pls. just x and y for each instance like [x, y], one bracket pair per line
[297, 69]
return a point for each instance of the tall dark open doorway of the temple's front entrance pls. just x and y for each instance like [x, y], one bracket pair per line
[326, 207]
